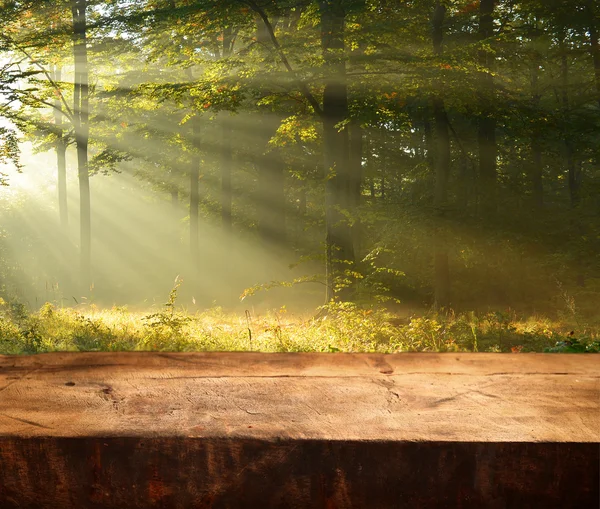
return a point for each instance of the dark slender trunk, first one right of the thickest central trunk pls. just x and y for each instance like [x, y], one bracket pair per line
[442, 174]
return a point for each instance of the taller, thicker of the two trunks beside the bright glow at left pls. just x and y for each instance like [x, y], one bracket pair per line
[81, 124]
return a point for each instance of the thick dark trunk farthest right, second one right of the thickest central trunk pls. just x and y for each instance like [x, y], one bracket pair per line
[486, 134]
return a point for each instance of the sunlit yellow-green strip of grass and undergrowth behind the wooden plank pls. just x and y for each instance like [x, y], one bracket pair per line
[336, 328]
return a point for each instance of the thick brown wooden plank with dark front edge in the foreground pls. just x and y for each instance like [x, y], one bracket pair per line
[137, 430]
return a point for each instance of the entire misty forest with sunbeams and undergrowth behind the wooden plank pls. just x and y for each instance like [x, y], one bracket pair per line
[311, 175]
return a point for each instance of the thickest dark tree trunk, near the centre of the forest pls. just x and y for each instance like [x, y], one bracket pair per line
[335, 147]
